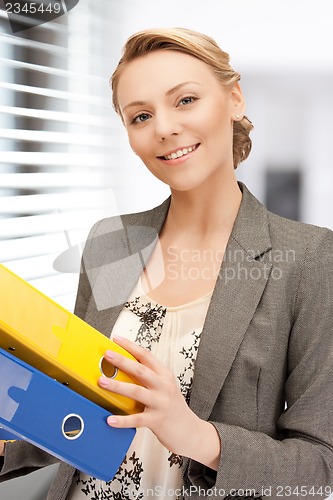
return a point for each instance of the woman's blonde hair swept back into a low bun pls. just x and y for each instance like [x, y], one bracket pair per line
[197, 45]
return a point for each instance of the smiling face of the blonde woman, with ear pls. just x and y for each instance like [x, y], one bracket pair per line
[179, 118]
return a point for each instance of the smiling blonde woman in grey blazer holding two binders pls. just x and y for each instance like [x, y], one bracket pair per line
[231, 303]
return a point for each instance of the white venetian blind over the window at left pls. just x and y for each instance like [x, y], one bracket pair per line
[56, 144]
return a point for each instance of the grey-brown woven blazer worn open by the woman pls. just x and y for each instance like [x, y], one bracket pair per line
[264, 369]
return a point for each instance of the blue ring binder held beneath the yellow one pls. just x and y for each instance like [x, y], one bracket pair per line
[41, 410]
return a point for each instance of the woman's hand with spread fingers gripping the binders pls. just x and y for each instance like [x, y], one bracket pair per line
[166, 413]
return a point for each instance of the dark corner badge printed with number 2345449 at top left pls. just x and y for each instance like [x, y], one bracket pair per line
[23, 15]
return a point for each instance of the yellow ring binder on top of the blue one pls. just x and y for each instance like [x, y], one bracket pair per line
[45, 335]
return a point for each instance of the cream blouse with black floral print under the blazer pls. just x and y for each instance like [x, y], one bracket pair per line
[172, 334]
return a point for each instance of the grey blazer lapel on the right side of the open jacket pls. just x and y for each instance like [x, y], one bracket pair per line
[239, 286]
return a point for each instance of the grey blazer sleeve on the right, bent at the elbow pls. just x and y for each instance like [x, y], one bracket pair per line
[300, 463]
